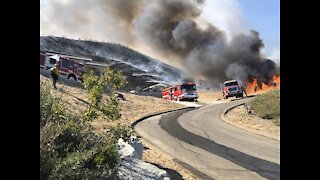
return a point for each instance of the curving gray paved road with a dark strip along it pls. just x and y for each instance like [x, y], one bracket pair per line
[213, 148]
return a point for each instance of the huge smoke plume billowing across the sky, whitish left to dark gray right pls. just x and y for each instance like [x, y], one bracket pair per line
[171, 27]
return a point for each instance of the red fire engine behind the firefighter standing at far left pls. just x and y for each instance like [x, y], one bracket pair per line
[70, 67]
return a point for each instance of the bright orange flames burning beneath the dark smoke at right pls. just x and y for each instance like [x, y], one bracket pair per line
[253, 87]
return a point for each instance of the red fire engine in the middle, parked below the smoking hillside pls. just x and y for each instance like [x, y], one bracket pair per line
[185, 91]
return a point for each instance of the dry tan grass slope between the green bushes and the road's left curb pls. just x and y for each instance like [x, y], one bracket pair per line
[134, 108]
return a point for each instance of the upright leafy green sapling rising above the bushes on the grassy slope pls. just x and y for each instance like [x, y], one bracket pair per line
[96, 87]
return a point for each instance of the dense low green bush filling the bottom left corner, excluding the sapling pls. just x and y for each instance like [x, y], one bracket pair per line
[69, 148]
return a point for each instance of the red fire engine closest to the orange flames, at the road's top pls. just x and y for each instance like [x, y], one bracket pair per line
[231, 88]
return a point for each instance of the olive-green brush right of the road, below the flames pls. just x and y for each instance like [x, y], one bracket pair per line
[267, 106]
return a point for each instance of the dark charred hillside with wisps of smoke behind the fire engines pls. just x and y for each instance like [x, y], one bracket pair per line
[140, 70]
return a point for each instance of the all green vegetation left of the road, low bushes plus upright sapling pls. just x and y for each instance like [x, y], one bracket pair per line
[70, 148]
